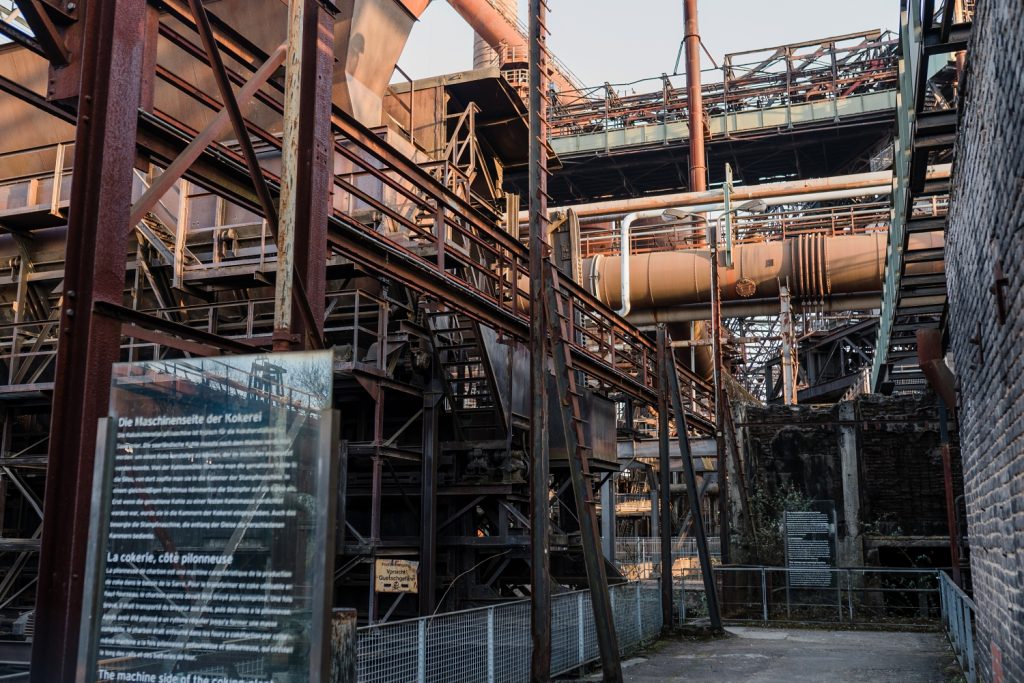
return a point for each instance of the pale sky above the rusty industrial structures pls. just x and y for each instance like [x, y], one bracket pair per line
[621, 41]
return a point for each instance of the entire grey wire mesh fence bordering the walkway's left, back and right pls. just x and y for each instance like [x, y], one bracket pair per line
[494, 645]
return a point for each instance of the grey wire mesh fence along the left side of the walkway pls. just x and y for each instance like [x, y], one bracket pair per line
[493, 645]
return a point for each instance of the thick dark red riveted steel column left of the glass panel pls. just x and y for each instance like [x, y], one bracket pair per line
[89, 346]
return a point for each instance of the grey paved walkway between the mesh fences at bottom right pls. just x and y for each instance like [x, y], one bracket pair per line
[776, 656]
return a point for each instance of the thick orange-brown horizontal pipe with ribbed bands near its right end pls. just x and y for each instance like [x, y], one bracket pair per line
[817, 268]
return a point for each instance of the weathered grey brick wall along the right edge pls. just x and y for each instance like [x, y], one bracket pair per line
[986, 225]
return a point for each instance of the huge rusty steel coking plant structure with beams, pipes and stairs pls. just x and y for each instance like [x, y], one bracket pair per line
[193, 180]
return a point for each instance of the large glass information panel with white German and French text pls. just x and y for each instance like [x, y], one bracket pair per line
[210, 539]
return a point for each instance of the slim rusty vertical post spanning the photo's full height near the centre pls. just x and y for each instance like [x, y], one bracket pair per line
[540, 613]
